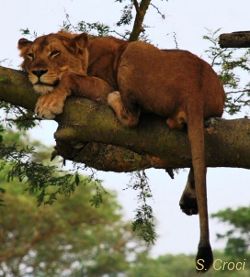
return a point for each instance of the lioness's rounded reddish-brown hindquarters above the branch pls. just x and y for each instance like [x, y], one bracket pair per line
[168, 78]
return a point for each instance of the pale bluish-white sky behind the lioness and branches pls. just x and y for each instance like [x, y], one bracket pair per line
[186, 20]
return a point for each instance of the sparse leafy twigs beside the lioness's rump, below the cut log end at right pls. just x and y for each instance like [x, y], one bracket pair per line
[230, 64]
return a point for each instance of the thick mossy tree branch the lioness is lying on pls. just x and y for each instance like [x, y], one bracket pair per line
[89, 133]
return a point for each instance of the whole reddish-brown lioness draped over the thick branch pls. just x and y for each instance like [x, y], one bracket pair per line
[132, 77]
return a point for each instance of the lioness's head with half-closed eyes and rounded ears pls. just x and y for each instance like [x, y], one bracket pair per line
[49, 56]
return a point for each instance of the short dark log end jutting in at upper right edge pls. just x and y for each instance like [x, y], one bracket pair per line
[235, 39]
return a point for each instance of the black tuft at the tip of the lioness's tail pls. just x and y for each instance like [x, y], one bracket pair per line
[204, 258]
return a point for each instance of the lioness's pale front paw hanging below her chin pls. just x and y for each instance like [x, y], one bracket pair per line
[50, 105]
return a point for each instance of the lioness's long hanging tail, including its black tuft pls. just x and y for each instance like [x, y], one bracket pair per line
[196, 137]
